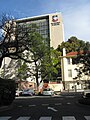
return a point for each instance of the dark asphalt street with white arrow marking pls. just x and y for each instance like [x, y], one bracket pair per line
[46, 108]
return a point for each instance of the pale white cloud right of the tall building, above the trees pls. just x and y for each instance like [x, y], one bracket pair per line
[77, 23]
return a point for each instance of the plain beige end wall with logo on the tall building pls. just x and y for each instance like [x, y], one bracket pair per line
[56, 30]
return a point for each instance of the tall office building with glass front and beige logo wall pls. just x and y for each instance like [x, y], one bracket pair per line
[49, 26]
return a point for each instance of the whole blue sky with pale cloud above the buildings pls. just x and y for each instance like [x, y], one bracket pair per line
[75, 13]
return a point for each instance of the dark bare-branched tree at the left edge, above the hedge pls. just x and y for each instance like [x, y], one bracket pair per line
[14, 39]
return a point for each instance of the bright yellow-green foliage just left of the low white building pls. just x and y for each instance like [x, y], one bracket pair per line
[51, 65]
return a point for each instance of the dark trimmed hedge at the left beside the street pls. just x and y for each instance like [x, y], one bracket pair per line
[7, 91]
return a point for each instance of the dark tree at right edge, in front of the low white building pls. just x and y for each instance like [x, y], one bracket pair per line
[83, 57]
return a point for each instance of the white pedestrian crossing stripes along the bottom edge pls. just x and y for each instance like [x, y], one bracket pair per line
[43, 118]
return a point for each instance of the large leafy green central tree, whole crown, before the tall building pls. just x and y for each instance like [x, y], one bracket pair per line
[41, 59]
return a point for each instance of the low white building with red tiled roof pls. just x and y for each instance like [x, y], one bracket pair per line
[69, 73]
